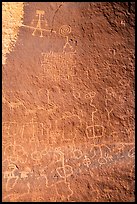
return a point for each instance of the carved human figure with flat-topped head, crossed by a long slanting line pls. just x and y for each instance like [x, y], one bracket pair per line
[39, 24]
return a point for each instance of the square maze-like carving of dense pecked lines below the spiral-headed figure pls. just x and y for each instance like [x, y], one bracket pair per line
[62, 65]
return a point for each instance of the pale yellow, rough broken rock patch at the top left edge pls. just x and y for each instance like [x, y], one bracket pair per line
[12, 15]
